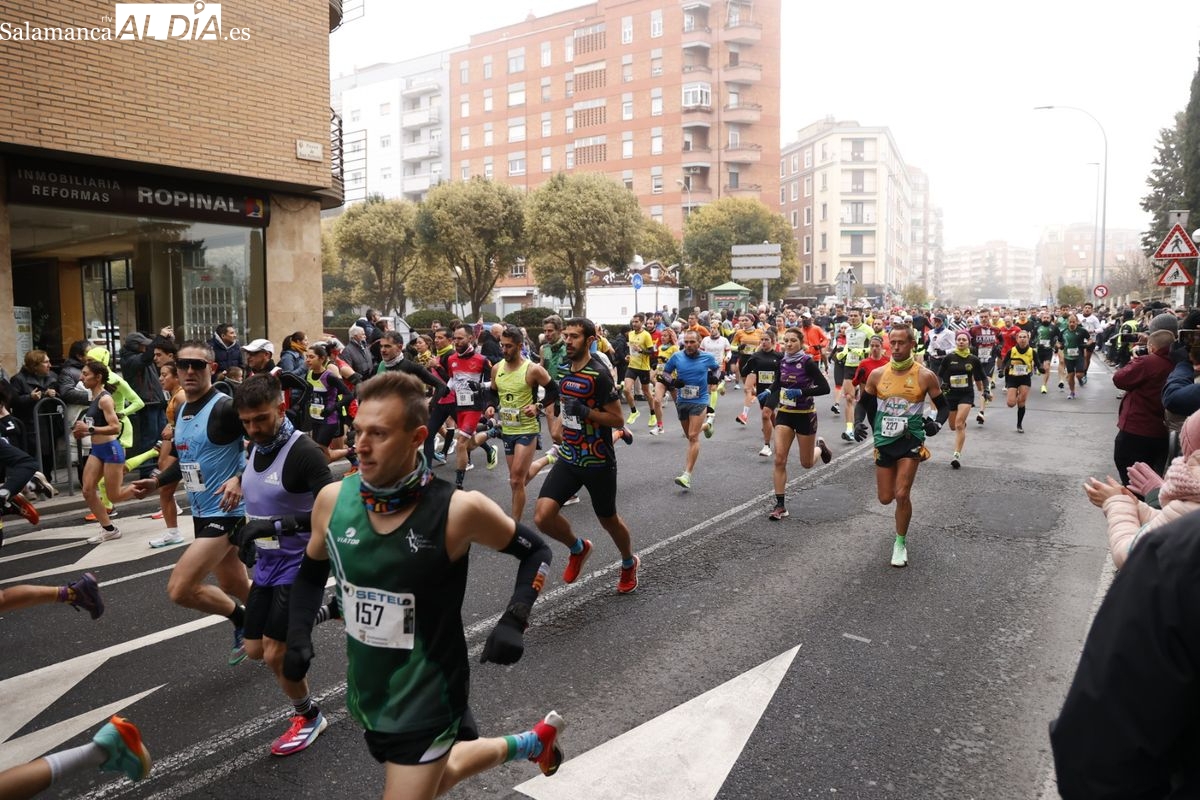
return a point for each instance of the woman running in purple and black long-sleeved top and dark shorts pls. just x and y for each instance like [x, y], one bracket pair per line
[799, 380]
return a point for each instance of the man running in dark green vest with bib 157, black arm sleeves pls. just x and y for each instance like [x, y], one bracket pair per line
[399, 543]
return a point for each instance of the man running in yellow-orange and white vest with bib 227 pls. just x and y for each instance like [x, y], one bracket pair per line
[895, 399]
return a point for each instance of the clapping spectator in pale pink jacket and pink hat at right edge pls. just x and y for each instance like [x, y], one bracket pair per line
[1179, 495]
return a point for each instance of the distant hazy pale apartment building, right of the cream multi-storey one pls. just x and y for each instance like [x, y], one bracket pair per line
[995, 272]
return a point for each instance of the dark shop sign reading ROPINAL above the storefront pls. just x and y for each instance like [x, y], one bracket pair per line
[106, 191]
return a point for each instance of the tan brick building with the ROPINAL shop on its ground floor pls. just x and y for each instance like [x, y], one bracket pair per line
[149, 182]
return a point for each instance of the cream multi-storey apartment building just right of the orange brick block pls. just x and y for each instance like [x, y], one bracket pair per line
[847, 190]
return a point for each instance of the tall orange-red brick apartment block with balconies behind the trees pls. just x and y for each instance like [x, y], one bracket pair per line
[676, 99]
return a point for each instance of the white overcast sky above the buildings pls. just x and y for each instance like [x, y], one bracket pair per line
[956, 82]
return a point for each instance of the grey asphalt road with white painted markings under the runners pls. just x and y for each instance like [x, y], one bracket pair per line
[932, 682]
